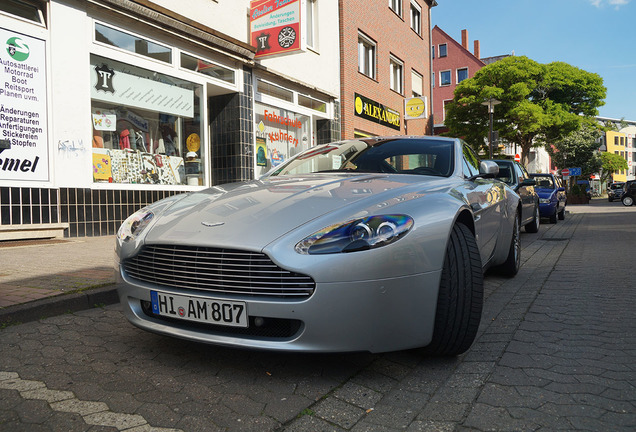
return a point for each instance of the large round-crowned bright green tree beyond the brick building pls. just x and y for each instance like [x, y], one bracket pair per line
[539, 102]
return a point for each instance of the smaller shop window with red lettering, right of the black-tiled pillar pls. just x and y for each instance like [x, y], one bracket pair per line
[280, 134]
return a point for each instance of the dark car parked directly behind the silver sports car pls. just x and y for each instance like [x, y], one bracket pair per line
[515, 175]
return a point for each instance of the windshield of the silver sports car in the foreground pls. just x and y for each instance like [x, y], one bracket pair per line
[396, 156]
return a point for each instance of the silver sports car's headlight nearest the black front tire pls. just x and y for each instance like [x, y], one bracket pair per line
[355, 235]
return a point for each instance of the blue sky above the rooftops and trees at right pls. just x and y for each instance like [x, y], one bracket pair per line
[594, 35]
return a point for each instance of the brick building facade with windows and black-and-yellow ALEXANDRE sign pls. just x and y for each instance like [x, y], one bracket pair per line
[385, 67]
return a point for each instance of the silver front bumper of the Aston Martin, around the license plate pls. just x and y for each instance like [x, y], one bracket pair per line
[372, 315]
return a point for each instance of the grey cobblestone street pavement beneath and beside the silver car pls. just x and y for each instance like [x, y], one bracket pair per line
[556, 351]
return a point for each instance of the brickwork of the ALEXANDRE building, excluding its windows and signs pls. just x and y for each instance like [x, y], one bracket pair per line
[393, 36]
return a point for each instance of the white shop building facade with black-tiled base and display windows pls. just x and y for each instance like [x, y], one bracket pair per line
[113, 104]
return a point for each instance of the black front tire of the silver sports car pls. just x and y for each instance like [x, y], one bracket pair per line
[461, 296]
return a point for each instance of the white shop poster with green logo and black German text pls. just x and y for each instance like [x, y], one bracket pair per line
[24, 153]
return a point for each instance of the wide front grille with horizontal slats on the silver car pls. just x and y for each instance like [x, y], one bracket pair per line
[224, 271]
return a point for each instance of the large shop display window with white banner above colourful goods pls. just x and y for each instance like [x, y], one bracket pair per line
[146, 126]
